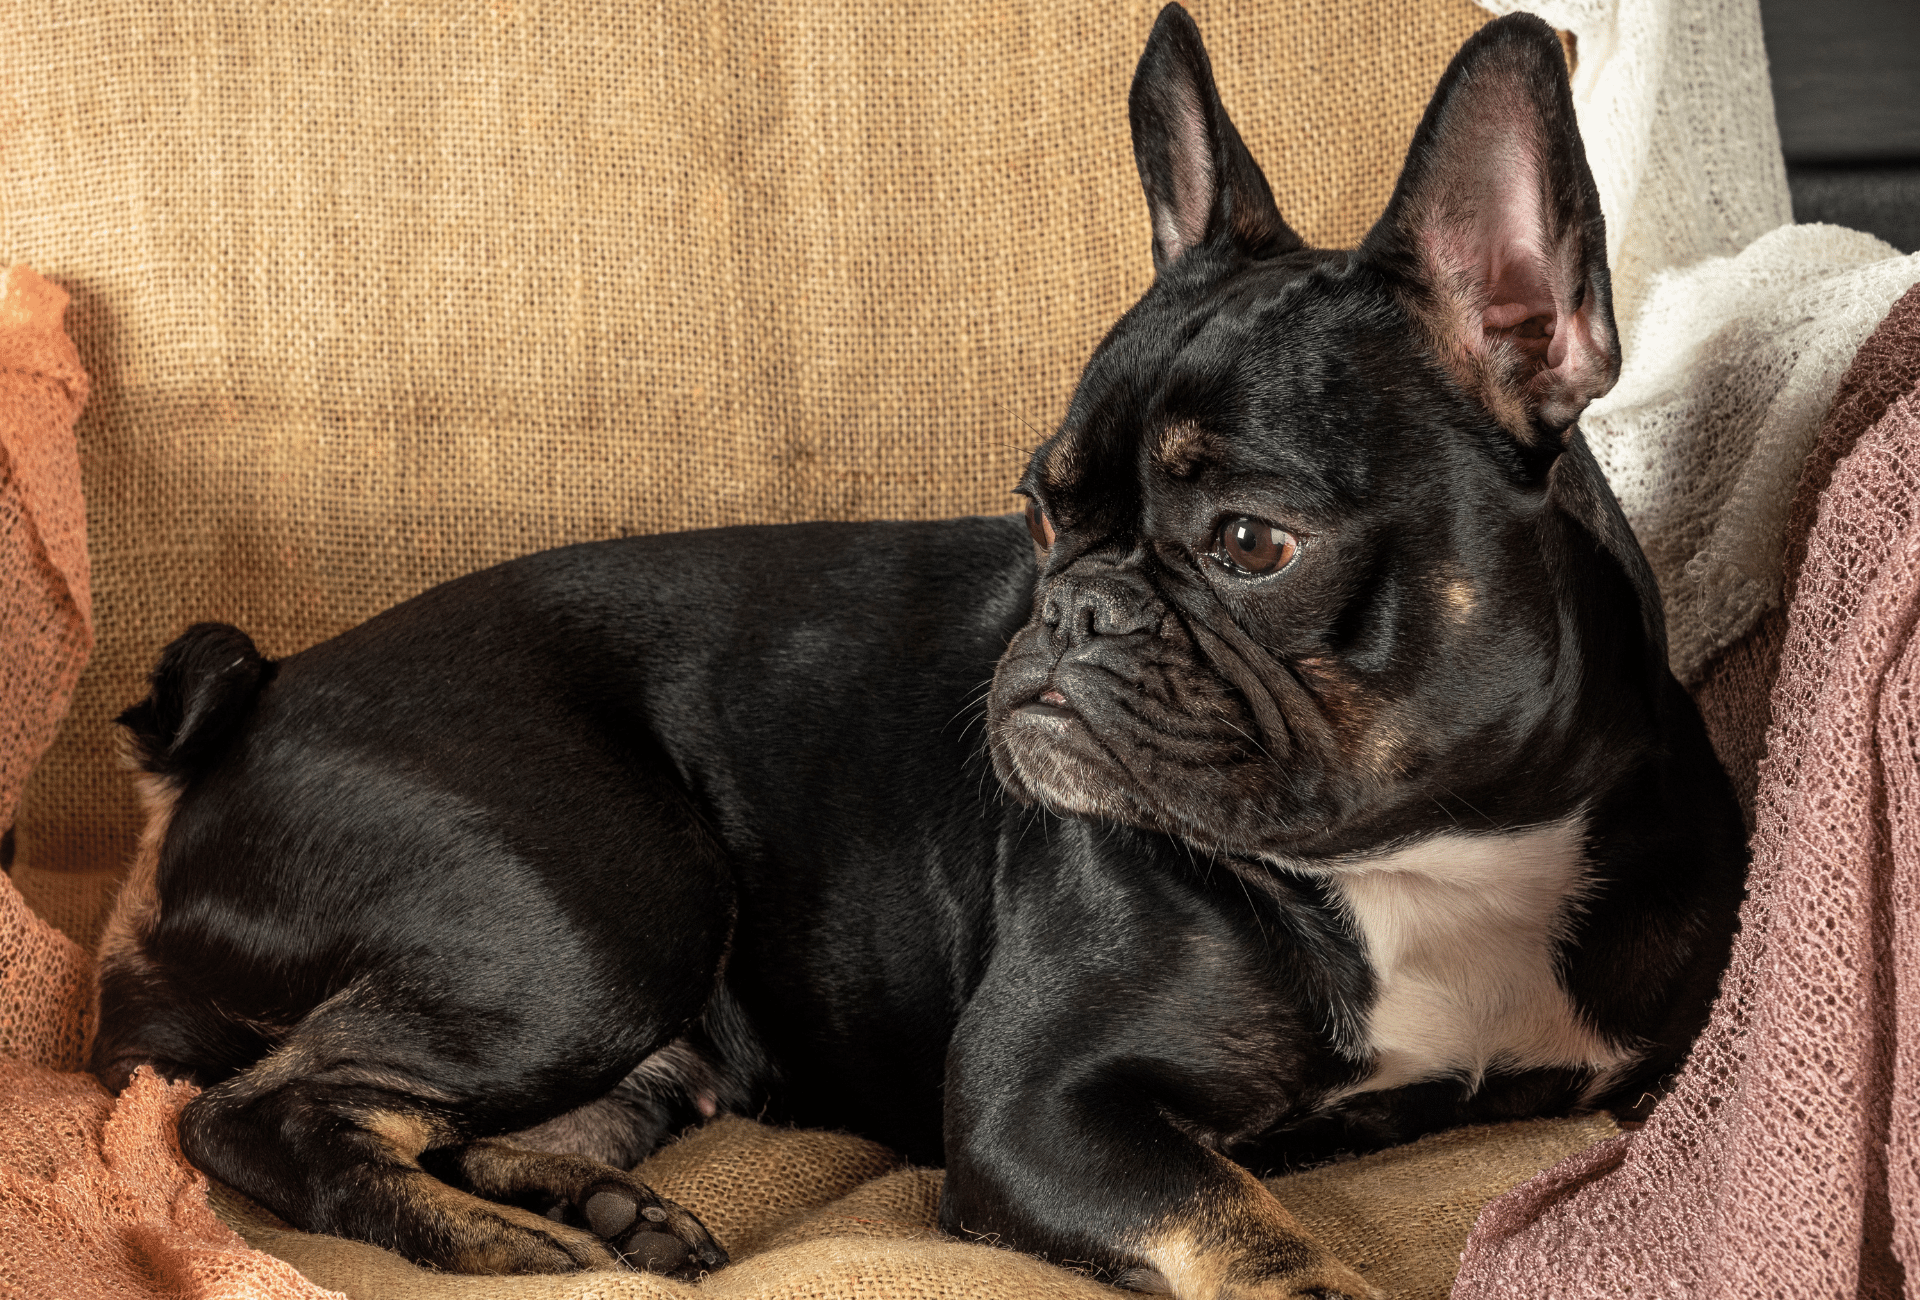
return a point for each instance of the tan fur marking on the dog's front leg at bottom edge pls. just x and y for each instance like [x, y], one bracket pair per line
[1243, 1243]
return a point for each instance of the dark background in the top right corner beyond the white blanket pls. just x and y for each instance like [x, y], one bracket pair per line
[1848, 97]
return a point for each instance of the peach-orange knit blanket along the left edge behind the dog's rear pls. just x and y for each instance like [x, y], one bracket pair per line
[95, 1199]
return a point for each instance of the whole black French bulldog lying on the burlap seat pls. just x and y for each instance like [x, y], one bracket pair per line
[1339, 790]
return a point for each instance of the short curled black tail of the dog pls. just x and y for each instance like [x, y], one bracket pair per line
[203, 686]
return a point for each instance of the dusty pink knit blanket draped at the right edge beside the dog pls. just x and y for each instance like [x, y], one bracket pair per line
[1787, 1163]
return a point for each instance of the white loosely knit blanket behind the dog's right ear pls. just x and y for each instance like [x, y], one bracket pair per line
[1737, 324]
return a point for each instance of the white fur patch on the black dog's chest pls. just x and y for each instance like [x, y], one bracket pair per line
[1460, 932]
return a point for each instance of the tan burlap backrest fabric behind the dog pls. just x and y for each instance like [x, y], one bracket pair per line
[379, 295]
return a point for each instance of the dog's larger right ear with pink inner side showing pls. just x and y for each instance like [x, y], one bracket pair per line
[1495, 233]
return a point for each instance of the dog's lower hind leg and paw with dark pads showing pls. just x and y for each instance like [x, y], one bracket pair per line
[345, 1138]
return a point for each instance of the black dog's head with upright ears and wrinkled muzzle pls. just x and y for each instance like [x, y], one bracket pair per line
[1322, 554]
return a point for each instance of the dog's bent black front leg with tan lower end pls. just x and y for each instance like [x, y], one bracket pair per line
[1084, 1090]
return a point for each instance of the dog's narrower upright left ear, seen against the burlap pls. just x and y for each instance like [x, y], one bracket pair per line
[1201, 181]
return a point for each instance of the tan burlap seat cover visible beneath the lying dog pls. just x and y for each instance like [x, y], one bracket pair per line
[823, 1215]
